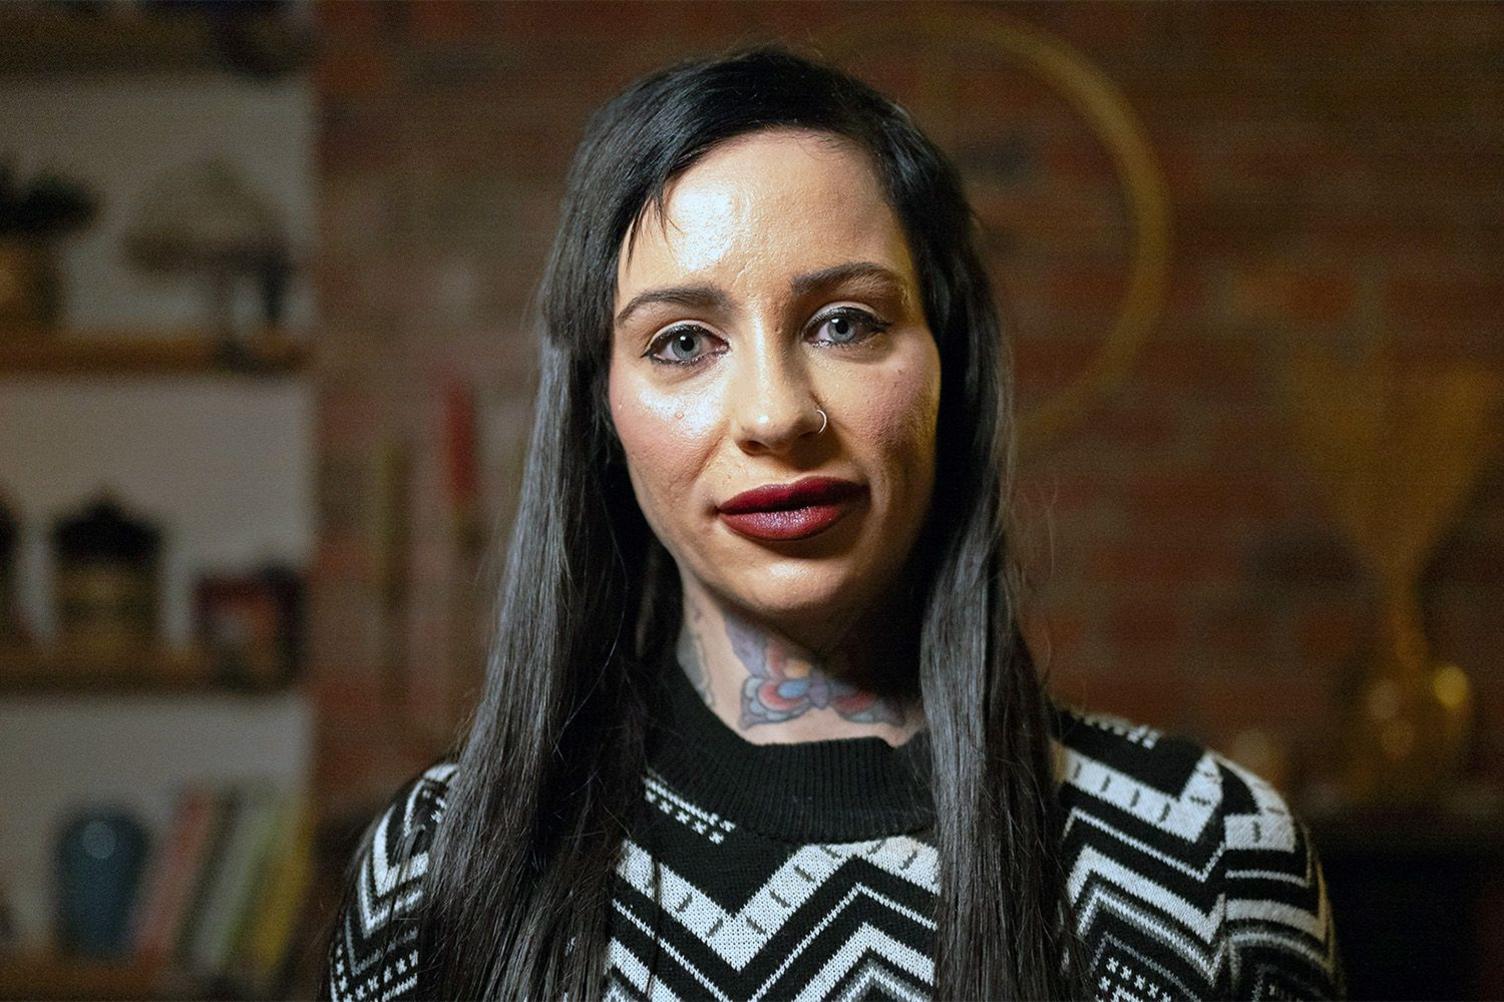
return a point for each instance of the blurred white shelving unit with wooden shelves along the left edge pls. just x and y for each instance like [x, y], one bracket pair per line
[139, 386]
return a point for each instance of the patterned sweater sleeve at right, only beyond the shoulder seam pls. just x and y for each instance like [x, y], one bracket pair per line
[1278, 929]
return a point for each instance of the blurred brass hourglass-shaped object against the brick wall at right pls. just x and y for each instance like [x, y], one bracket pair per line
[1396, 457]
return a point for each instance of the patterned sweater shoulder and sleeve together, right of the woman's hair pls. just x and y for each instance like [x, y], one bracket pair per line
[1190, 864]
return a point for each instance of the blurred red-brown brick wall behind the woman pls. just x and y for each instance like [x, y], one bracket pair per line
[1333, 175]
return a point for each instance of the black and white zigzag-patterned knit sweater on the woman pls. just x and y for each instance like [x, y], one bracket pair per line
[805, 872]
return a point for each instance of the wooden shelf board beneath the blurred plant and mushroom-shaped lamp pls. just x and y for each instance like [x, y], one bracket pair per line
[108, 353]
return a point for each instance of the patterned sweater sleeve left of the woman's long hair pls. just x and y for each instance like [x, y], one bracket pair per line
[374, 947]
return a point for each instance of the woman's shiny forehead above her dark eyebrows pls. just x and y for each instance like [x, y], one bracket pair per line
[763, 207]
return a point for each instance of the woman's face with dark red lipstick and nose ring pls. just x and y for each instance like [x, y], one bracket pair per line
[778, 285]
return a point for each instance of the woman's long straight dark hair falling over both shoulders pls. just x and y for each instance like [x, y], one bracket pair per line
[518, 897]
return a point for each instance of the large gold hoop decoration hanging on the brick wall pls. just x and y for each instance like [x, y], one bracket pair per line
[1106, 111]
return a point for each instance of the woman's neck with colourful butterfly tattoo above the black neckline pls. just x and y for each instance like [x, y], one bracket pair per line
[771, 688]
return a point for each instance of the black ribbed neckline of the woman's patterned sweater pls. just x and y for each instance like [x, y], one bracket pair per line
[837, 791]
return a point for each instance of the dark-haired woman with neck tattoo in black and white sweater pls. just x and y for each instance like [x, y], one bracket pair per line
[759, 720]
